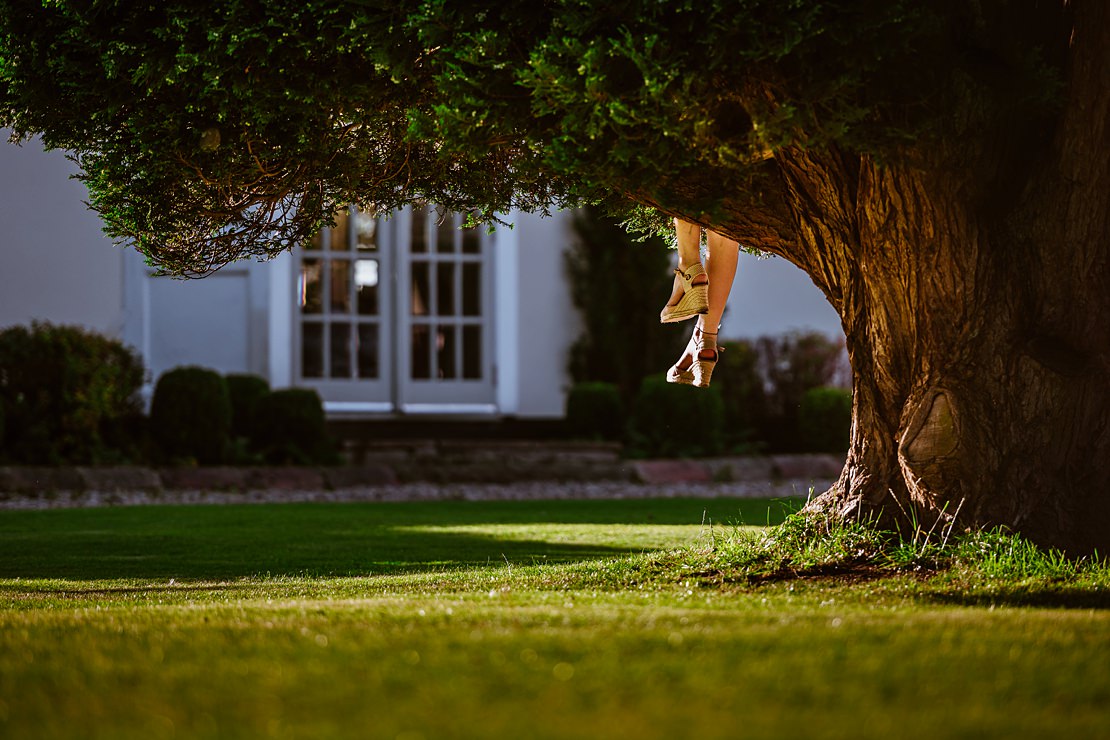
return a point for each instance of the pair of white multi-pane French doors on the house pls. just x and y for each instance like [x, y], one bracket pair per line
[396, 315]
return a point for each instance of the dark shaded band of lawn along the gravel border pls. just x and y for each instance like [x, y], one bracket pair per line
[206, 543]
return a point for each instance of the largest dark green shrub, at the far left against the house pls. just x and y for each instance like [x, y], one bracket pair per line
[67, 396]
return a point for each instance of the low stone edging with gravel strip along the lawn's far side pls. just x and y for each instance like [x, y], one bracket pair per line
[409, 471]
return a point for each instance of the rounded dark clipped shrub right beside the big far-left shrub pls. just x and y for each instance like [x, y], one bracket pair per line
[190, 415]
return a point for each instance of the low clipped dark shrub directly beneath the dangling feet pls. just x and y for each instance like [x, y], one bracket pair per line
[677, 421]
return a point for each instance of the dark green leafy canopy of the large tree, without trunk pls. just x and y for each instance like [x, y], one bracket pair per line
[207, 135]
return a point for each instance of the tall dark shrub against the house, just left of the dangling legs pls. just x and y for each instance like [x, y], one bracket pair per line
[619, 287]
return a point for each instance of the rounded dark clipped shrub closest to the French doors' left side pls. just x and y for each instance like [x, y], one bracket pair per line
[290, 428]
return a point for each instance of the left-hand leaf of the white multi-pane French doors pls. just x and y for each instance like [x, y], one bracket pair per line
[345, 295]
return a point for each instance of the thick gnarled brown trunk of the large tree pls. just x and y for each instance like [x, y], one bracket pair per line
[974, 285]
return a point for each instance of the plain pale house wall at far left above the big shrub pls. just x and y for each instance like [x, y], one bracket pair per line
[56, 265]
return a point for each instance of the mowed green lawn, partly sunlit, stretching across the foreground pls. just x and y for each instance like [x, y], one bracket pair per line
[542, 620]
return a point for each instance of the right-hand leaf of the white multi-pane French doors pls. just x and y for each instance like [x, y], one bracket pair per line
[446, 315]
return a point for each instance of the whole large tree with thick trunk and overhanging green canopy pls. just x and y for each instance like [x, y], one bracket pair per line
[941, 169]
